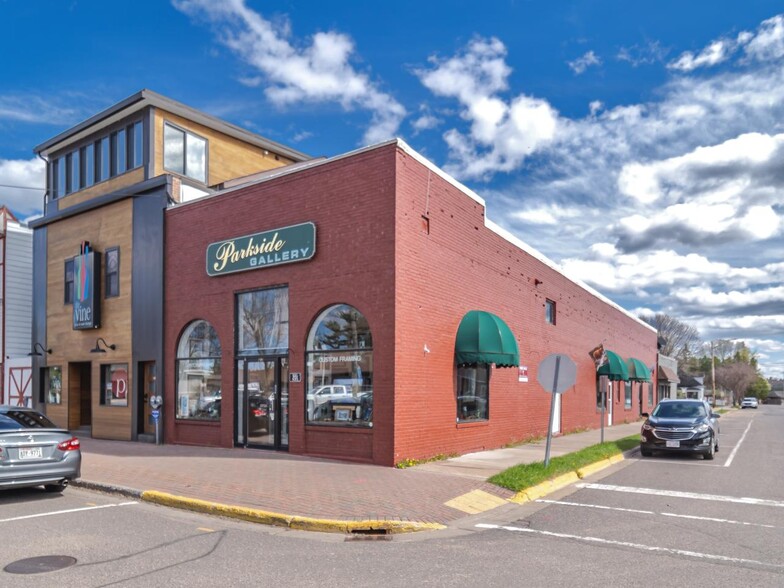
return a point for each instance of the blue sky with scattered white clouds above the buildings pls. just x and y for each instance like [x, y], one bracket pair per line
[640, 145]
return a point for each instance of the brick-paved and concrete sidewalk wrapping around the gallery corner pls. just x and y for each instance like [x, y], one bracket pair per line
[323, 491]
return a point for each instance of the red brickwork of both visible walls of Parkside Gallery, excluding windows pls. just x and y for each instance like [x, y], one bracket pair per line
[414, 278]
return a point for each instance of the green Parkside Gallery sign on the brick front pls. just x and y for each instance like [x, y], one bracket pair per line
[275, 247]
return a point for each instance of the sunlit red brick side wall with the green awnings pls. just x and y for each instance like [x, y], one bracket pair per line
[456, 265]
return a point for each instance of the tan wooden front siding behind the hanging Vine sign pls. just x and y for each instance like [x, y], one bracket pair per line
[106, 227]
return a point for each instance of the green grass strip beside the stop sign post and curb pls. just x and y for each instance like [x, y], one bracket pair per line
[525, 475]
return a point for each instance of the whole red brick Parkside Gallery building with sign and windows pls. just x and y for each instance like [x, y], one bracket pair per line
[325, 320]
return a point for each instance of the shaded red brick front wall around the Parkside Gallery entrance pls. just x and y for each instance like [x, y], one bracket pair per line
[351, 202]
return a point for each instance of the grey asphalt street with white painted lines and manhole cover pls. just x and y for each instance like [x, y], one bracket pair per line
[646, 521]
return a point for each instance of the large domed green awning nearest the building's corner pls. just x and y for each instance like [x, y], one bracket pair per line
[483, 338]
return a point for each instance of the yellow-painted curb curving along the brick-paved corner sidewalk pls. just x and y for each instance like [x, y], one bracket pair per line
[290, 521]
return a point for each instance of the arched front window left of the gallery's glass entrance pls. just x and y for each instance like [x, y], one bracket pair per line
[199, 373]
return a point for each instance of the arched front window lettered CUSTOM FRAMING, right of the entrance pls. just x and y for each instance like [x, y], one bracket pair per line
[339, 374]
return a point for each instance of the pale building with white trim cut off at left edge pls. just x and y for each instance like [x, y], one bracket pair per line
[16, 279]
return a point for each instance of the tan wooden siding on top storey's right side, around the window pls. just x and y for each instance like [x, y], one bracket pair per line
[227, 157]
